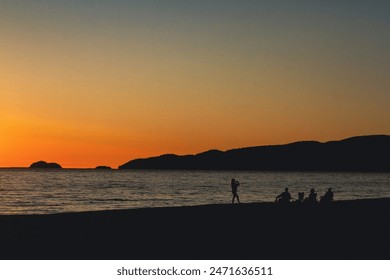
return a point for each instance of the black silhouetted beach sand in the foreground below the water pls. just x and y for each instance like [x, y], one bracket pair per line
[358, 229]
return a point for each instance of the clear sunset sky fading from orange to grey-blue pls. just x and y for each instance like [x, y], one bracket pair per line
[86, 83]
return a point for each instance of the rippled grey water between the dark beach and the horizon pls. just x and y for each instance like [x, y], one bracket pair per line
[24, 191]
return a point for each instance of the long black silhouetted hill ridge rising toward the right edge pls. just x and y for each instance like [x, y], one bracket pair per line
[361, 153]
